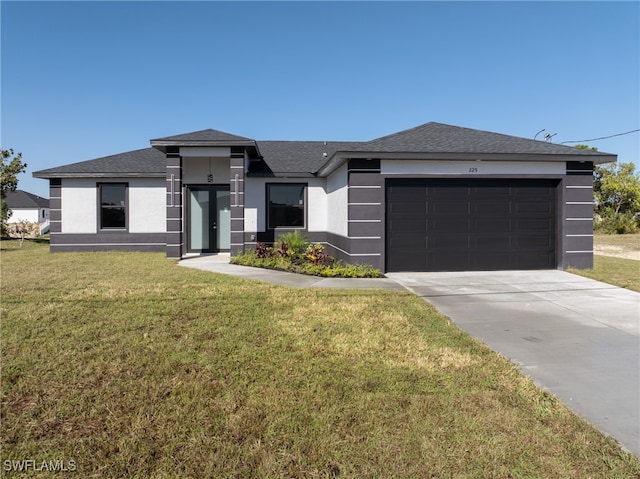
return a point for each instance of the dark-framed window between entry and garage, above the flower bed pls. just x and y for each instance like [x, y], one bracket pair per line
[286, 205]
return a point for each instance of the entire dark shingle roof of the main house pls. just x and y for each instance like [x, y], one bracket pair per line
[428, 141]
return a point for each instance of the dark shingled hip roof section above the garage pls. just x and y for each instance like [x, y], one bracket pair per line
[440, 138]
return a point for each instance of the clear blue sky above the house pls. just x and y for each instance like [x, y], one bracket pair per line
[81, 80]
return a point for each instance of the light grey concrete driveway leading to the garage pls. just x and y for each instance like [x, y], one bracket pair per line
[578, 338]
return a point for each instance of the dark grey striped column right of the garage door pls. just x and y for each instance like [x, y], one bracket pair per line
[577, 216]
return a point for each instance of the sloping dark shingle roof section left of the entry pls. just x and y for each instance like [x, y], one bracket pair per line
[146, 162]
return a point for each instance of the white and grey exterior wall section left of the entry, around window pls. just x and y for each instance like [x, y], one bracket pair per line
[74, 216]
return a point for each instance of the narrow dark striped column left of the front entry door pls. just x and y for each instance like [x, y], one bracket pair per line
[175, 232]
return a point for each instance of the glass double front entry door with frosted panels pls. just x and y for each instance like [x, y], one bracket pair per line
[209, 219]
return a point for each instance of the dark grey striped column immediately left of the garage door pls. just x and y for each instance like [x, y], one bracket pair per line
[365, 213]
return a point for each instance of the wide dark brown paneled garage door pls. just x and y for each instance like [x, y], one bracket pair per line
[459, 225]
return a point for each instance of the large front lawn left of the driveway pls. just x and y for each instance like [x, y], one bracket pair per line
[134, 367]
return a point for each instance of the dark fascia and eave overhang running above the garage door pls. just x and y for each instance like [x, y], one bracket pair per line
[339, 158]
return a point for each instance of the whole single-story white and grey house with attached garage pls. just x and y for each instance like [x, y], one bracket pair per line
[431, 198]
